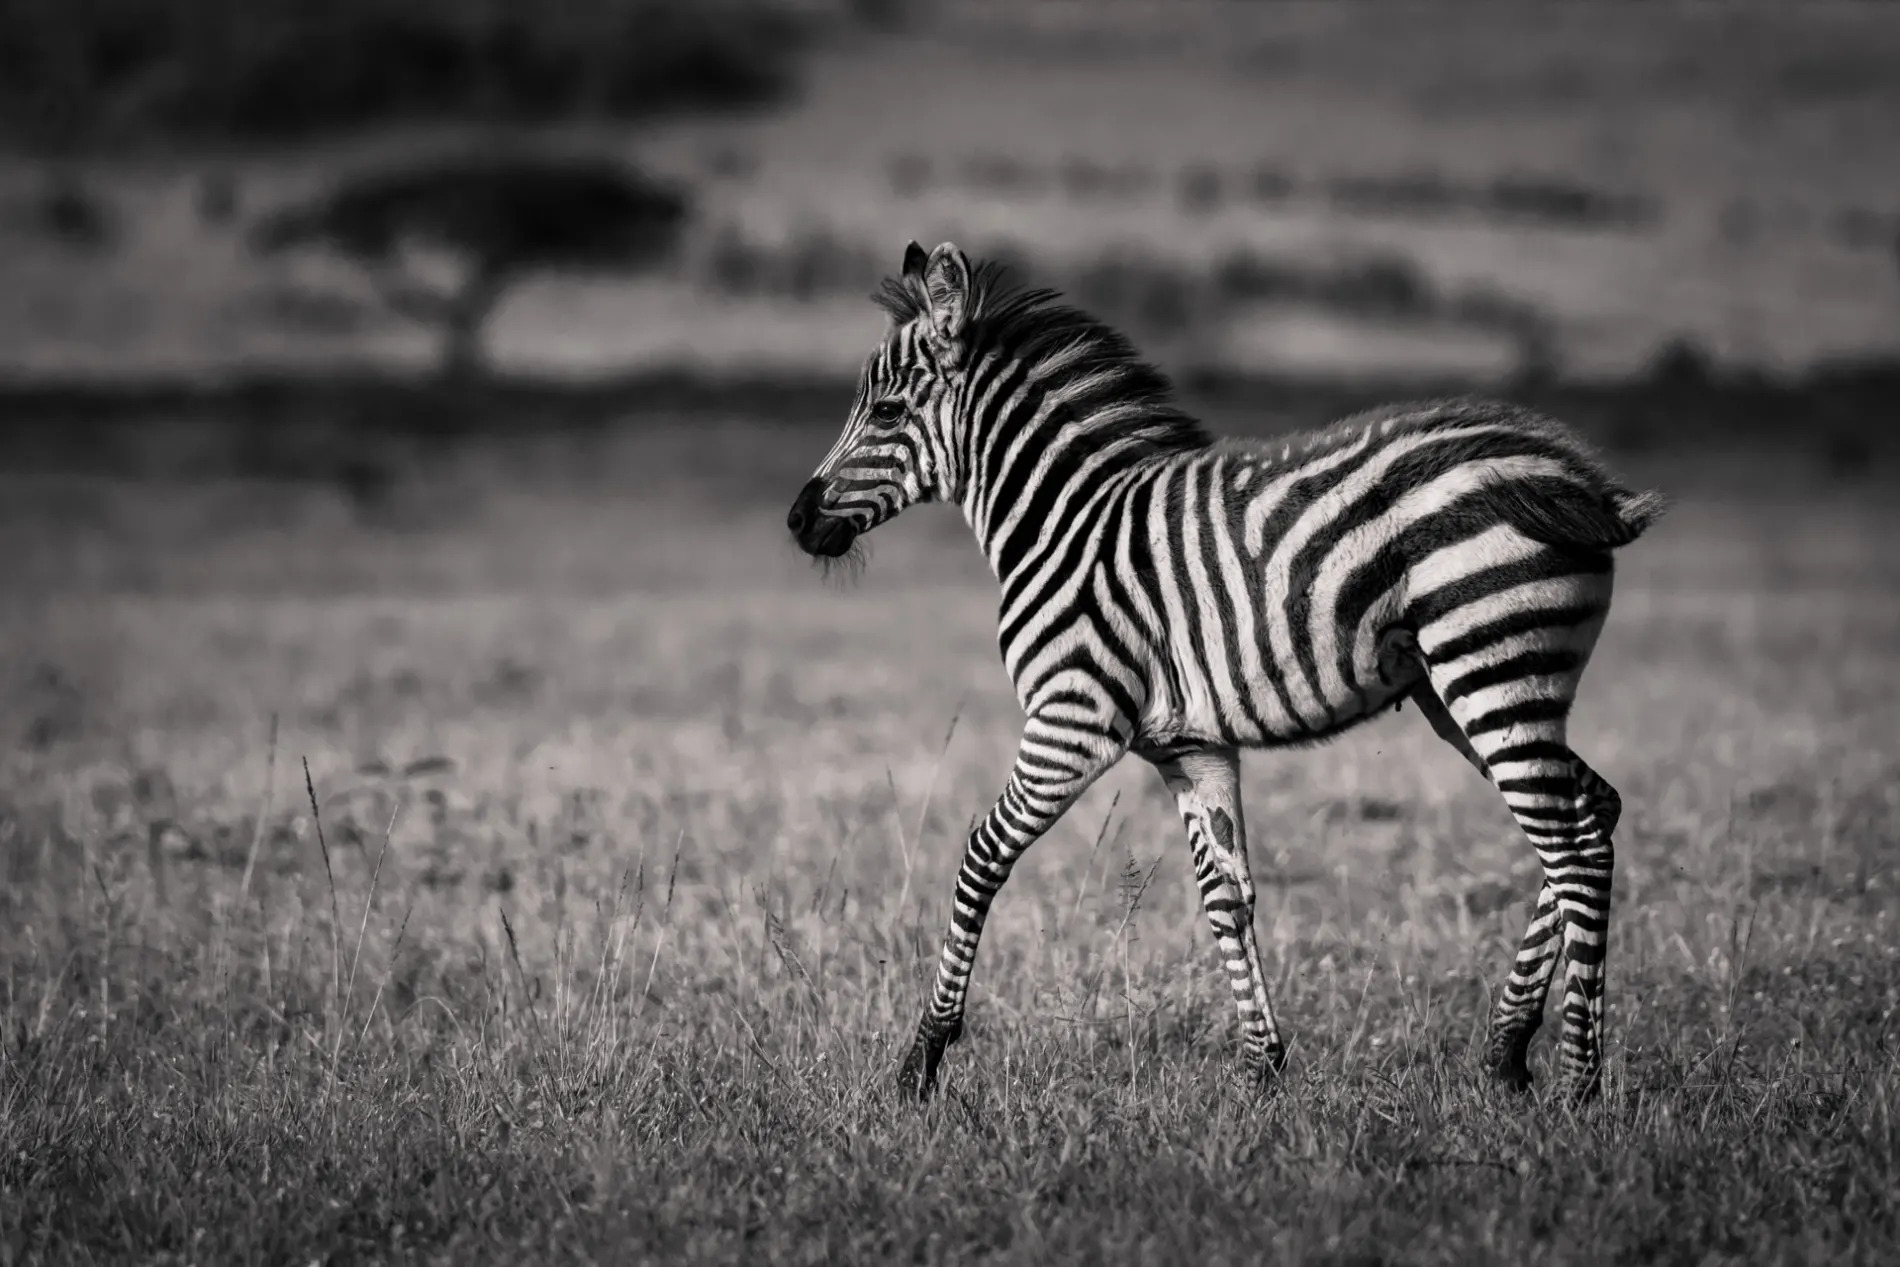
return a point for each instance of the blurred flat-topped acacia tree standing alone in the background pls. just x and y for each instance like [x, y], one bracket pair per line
[497, 219]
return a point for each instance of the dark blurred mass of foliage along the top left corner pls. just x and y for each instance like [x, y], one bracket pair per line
[104, 73]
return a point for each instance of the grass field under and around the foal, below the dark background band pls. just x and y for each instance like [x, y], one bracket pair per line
[637, 841]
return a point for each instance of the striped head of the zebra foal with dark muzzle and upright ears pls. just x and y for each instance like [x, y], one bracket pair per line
[894, 449]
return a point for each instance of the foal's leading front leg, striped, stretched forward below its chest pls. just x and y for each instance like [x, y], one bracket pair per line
[1054, 766]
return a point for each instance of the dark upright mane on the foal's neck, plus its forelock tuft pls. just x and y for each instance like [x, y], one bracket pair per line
[1036, 326]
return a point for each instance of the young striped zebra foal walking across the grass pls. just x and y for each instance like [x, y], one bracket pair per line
[1181, 597]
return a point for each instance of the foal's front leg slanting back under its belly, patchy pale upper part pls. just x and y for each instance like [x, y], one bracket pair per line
[1207, 789]
